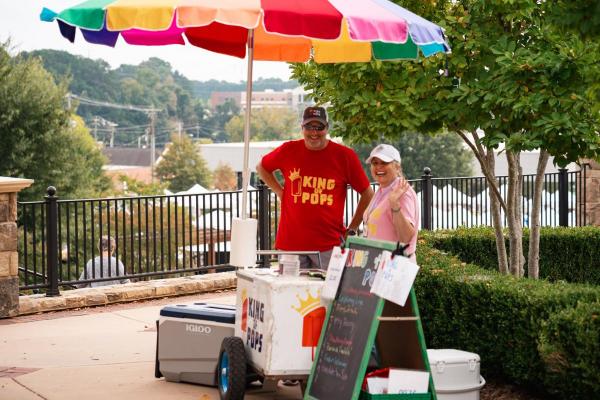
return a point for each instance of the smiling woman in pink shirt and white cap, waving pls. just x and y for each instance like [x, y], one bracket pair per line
[393, 213]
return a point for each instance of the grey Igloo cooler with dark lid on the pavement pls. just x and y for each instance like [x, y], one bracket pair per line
[189, 340]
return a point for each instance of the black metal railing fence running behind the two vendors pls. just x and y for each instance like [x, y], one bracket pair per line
[181, 234]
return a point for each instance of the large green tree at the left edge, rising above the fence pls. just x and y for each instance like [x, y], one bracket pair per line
[40, 138]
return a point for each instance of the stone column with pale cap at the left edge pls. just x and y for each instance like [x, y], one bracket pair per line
[9, 266]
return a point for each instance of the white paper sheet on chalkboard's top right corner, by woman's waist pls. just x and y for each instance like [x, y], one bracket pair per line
[394, 278]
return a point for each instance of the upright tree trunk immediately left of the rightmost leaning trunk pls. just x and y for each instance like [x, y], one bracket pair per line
[513, 207]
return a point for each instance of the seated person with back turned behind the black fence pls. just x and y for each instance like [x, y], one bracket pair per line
[103, 266]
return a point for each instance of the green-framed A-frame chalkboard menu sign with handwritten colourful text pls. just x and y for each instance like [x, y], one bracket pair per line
[360, 326]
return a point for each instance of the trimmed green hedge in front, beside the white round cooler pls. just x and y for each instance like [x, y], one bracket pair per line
[515, 325]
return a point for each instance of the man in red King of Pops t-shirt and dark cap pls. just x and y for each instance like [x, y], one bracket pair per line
[316, 173]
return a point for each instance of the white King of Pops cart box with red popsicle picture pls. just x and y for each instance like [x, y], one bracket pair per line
[279, 319]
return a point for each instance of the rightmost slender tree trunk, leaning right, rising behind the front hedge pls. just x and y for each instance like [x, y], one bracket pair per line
[533, 258]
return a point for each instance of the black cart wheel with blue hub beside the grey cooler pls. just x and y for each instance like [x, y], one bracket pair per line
[231, 375]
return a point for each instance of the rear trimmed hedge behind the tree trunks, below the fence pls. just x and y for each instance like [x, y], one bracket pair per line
[569, 254]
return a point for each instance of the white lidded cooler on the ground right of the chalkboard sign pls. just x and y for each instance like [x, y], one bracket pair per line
[455, 374]
